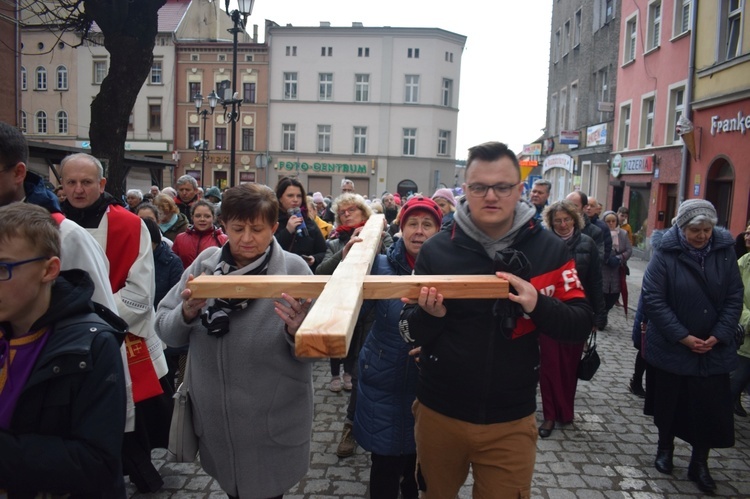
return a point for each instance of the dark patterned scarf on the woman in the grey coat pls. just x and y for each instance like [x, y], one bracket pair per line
[216, 317]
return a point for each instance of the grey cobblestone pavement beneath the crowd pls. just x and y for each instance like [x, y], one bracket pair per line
[607, 452]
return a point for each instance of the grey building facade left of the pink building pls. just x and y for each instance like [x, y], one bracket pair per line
[580, 101]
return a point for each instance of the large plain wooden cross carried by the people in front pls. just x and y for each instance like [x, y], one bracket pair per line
[327, 329]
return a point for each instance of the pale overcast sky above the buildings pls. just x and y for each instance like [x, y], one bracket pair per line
[503, 93]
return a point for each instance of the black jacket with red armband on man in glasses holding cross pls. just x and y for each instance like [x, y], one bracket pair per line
[472, 368]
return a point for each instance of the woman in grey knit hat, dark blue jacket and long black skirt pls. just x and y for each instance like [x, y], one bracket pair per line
[692, 299]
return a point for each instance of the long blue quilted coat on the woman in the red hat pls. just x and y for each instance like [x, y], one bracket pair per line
[383, 422]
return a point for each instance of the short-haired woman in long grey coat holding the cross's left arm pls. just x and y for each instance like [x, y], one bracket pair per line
[252, 398]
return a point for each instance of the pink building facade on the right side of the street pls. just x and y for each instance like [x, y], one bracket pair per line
[651, 95]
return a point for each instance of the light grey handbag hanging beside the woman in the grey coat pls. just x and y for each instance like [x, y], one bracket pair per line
[183, 442]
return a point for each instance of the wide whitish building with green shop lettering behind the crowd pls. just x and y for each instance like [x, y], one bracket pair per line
[377, 105]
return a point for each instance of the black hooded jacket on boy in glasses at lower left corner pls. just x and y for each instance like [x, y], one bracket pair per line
[67, 427]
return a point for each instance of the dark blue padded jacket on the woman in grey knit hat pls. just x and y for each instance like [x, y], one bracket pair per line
[680, 298]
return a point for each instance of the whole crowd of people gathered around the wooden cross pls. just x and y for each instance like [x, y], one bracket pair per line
[105, 301]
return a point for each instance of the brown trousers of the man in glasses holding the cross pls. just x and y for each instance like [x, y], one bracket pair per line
[501, 455]
